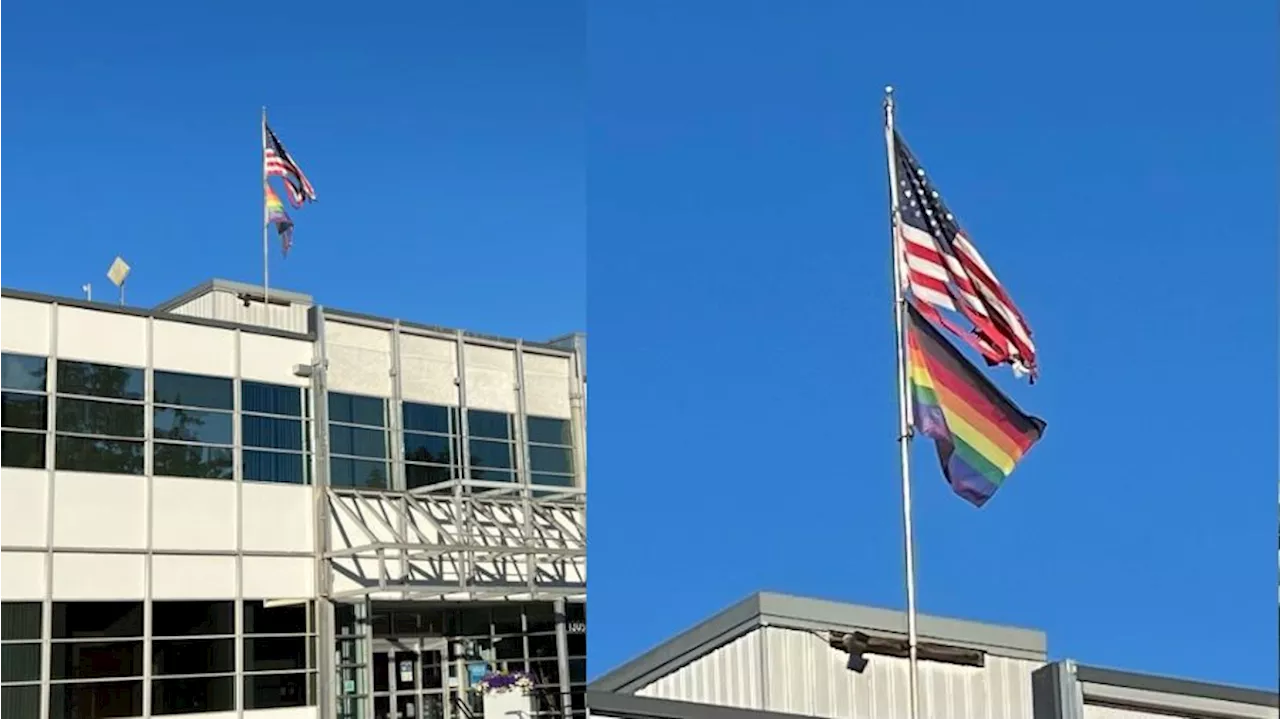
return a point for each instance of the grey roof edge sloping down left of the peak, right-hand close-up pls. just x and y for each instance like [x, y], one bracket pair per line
[684, 648]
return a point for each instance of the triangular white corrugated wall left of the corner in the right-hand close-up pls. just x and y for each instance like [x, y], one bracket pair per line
[728, 677]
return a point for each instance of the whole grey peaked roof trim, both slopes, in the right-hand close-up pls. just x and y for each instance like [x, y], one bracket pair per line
[769, 610]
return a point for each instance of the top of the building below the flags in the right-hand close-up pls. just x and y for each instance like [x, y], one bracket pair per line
[779, 657]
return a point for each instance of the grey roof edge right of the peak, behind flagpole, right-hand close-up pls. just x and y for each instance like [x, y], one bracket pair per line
[810, 613]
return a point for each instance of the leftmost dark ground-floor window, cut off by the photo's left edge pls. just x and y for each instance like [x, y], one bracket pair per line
[20, 660]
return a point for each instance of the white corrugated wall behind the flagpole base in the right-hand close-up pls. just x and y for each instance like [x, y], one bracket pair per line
[807, 676]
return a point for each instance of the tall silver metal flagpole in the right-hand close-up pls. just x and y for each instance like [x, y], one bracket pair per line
[904, 406]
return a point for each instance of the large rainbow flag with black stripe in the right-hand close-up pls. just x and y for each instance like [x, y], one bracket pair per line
[980, 433]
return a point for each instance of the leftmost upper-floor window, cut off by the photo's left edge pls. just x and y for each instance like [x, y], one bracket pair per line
[24, 411]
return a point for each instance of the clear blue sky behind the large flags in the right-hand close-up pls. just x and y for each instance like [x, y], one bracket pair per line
[1117, 166]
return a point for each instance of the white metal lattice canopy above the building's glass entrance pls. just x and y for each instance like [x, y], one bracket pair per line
[408, 547]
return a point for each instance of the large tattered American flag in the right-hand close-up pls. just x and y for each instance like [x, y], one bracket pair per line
[945, 272]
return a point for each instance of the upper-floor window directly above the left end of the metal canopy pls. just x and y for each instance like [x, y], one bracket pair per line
[358, 442]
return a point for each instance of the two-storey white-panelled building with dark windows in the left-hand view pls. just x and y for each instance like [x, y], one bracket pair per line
[246, 510]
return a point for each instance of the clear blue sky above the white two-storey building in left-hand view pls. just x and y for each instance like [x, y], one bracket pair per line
[445, 141]
